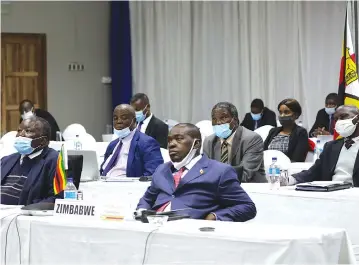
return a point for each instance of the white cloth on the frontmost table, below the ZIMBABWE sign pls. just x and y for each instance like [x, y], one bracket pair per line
[50, 240]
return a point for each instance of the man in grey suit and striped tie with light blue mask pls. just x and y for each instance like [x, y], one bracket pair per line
[235, 145]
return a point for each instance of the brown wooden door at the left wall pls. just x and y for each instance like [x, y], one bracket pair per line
[23, 75]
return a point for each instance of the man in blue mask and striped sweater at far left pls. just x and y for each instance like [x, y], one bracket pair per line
[27, 176]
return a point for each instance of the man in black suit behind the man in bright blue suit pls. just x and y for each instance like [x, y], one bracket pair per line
[147, 122]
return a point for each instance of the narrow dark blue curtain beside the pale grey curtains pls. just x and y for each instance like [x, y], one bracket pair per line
[120, 52]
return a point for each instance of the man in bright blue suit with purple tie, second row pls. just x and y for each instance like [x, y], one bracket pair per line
[132, 154]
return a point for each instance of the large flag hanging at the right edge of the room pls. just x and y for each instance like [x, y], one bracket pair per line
[348, 90]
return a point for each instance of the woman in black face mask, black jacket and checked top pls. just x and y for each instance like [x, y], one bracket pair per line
[290, 138]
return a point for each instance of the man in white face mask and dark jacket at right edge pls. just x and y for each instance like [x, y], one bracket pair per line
[339, 160]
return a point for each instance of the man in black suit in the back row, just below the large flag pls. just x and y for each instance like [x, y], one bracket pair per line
[324, 122]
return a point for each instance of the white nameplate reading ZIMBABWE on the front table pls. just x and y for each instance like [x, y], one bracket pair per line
[75, 208]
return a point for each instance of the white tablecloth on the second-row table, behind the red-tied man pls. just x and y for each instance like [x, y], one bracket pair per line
[286, 206]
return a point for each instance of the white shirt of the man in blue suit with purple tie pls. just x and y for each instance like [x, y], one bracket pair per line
[119, 170]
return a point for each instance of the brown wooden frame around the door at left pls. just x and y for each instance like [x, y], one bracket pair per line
[41, 61]
